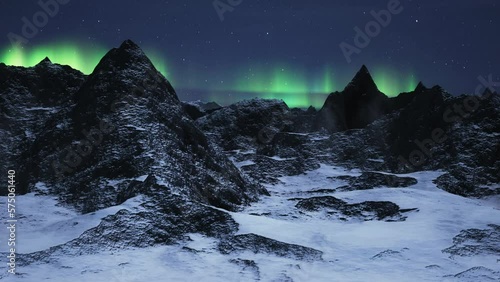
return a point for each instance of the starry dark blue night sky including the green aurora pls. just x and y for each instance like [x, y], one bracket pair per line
[271, 49]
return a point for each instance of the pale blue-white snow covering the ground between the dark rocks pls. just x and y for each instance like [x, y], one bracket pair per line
[409, 250]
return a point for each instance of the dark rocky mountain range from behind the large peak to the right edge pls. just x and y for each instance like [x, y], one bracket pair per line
[420, 130]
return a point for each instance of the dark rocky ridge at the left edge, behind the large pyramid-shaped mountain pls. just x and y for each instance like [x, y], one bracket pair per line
[28, 98]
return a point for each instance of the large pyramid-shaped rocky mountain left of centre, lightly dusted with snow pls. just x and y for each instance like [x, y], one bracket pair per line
[127, 122]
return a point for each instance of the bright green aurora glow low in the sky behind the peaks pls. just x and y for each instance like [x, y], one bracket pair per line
[281, 81]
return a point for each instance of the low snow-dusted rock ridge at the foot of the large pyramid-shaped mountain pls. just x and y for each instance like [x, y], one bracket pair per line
[162, 220]
